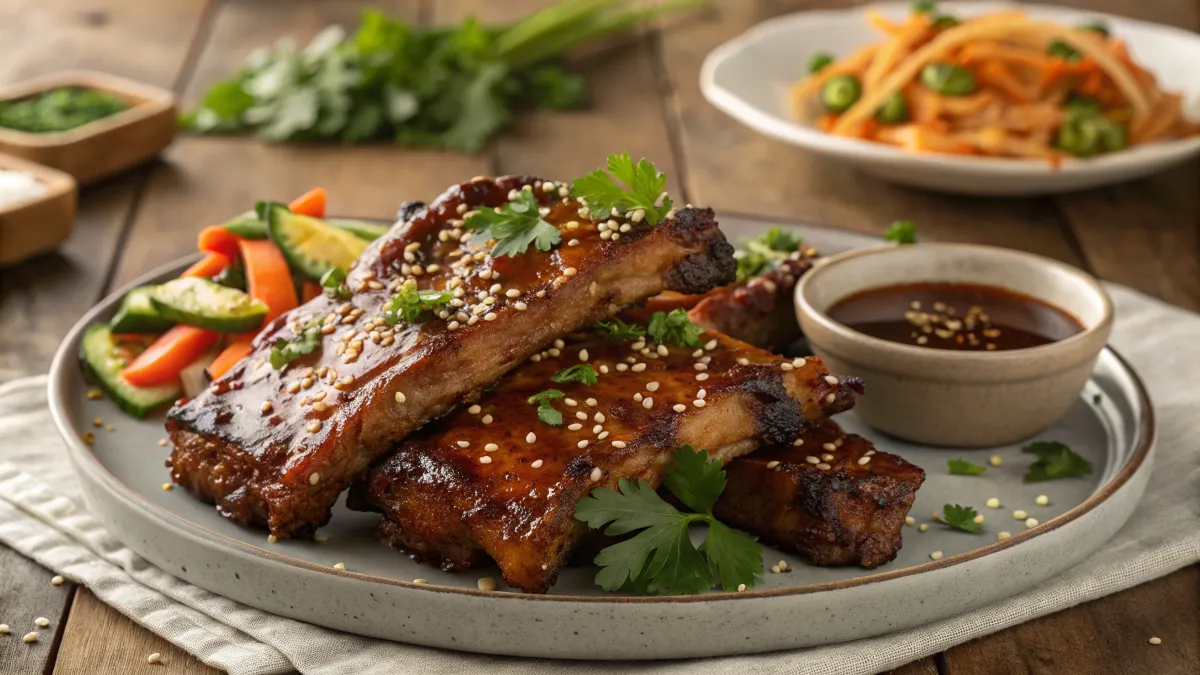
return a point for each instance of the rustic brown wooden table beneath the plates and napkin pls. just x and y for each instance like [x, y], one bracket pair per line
[647, 101]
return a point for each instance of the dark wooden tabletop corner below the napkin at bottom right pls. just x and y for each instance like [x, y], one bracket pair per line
[1109, 636]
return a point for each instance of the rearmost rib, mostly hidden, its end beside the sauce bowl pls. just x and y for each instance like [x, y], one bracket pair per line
[758, 312]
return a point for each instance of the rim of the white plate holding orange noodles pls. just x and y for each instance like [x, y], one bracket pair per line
[1148, 157]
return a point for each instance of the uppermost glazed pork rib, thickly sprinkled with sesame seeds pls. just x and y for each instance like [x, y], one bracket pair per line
[279, 447]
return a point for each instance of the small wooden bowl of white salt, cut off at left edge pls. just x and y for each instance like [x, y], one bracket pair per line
[39, 225]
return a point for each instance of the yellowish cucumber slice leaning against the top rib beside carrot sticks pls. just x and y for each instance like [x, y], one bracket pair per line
[311, 247]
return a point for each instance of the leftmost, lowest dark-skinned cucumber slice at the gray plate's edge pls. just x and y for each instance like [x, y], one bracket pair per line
[105, 360]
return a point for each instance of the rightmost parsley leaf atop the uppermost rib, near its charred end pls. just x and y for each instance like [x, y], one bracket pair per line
[643, 190]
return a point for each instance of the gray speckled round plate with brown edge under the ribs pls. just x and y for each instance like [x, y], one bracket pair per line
[124, 473]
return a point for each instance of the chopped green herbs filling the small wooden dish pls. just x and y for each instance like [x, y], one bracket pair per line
[59, 110]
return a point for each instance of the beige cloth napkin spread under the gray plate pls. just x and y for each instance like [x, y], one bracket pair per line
[43, 516]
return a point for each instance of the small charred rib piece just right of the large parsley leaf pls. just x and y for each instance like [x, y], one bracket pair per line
[833, 499]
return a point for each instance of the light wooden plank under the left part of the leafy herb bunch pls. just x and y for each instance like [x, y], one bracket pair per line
[208, 180]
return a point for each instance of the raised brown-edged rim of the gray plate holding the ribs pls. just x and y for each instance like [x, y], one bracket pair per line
[65, 360]
